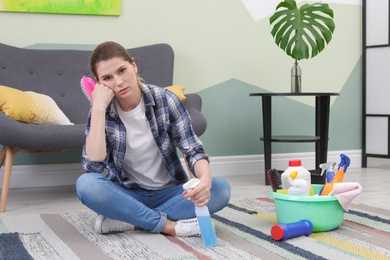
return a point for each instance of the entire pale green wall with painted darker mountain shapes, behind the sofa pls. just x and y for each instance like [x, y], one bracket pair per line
[223, 54]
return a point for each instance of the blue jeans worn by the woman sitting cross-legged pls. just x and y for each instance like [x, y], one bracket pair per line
[148, 209]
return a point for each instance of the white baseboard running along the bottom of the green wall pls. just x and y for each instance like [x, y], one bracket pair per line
[28, 176]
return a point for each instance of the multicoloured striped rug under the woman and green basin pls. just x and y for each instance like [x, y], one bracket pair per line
[243, 230]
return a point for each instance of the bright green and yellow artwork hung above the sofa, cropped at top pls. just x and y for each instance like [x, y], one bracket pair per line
[89, 7]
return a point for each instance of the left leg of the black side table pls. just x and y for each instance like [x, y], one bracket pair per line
[267, 124]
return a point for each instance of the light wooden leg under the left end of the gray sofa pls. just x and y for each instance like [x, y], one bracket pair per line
[8, 154]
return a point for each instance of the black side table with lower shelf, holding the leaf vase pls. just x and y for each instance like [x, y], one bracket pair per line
[321, 130]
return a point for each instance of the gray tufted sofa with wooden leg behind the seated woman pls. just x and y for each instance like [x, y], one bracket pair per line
[57, 73]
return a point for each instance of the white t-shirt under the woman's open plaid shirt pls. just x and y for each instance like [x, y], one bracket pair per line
[143, 162]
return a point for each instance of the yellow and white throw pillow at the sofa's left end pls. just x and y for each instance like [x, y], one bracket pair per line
[30, 107]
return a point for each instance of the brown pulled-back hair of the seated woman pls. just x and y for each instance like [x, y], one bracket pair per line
[106, 51]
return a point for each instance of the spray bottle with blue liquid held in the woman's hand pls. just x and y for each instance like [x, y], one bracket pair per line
[203, 215]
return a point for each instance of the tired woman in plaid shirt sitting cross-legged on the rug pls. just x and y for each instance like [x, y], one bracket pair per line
[133, 130]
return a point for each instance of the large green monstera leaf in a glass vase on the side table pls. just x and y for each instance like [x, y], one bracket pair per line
[301, 33]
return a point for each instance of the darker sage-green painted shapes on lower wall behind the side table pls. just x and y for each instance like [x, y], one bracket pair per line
[234, 119]
